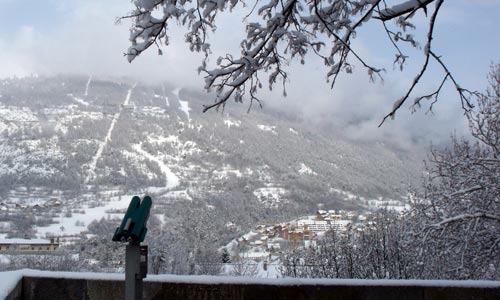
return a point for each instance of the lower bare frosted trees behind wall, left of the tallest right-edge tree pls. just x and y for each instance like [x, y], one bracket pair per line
[380, 250]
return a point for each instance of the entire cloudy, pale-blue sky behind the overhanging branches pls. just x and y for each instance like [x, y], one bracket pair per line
[80, 36]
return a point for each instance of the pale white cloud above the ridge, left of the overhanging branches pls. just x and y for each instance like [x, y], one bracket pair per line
[87, 40]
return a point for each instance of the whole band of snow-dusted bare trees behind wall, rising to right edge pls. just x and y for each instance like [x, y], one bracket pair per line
[452, 230]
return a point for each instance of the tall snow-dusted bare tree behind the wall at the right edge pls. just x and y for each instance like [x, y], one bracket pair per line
[460, 211]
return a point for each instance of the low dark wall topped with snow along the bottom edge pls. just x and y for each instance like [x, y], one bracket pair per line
[64, 285]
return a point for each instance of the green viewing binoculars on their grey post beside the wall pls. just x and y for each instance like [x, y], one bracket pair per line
[133, 230]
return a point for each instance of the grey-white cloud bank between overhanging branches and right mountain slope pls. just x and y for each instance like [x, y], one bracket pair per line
[356, 106]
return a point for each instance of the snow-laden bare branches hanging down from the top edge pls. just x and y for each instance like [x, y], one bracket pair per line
[280, 30]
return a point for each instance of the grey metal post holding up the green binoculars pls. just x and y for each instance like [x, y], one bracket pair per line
[133, 278]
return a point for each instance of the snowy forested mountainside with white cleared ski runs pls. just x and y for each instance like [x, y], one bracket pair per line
[66, 136]
